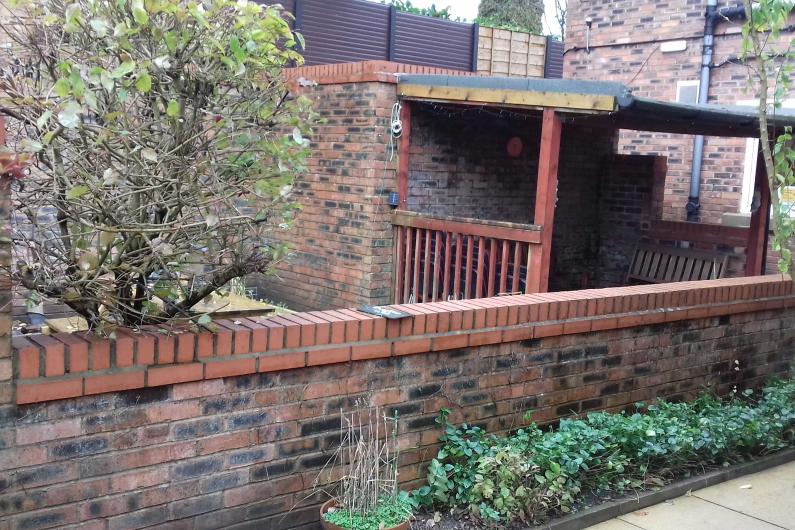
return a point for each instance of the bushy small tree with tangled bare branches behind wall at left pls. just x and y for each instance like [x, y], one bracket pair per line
[164, 145]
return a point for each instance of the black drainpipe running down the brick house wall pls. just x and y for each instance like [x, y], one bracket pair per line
[712, 17]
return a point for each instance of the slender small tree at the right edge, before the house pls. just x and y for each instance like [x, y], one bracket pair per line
[770, 60]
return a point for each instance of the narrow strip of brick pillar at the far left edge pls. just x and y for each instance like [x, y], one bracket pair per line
[6, 365]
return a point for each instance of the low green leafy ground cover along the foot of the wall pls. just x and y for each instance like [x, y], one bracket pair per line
[532, 474]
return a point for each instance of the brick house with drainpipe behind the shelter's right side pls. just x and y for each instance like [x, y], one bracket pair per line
[656, 48]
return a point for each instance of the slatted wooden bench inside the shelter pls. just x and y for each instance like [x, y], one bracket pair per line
[658, 264]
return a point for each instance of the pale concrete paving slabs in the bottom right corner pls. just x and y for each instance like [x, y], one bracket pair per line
[761, 501]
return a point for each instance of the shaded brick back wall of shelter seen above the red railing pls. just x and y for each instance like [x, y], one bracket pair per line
[458, 164]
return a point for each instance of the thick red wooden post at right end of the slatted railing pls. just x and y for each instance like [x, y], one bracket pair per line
[546, 197]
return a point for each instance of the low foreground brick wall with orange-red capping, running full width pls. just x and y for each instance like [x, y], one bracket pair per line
[230, 430]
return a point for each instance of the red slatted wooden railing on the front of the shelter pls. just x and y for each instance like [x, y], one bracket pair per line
[454, 258]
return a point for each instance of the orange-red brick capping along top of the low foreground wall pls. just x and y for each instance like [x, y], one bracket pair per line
[293, 343]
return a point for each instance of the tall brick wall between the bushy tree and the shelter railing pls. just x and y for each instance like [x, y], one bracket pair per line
[342, 239]
